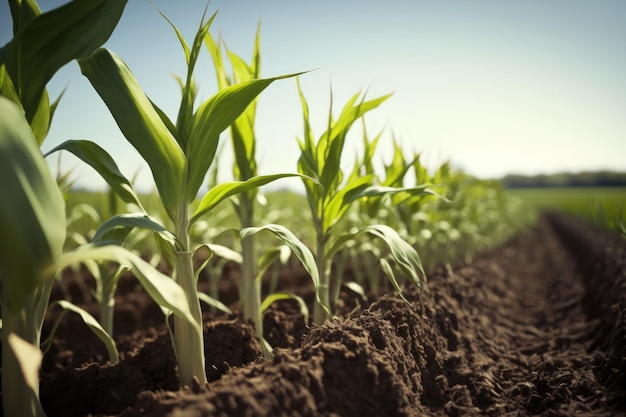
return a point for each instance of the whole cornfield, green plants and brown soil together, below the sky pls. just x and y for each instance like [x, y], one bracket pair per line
[386, 287]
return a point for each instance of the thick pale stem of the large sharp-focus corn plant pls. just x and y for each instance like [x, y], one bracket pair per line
[188, 340]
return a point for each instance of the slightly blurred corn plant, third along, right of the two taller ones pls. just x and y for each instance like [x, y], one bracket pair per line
[329, 204]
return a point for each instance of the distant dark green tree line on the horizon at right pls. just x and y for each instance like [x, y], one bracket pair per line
[581, 179]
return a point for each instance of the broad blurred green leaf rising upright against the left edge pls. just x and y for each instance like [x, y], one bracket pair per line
[32, 210]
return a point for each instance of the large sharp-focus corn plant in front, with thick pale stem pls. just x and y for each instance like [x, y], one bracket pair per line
[179, 156]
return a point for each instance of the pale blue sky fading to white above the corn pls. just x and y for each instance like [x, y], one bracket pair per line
[496, 87]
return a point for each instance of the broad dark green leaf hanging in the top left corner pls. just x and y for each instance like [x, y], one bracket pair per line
[52, 39]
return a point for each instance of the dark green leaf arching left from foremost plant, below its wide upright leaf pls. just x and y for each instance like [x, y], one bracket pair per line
[101, 161]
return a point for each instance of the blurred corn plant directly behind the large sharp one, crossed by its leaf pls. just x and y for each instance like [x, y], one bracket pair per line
[244, 141]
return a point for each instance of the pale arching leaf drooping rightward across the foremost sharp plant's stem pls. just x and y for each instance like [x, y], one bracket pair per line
[161, 288]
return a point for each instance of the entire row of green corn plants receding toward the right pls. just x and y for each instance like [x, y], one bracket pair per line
[352, 212]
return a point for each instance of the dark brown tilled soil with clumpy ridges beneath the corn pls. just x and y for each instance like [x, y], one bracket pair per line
[534, 327]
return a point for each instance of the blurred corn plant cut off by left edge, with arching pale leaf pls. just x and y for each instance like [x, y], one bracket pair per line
[33, 231]
